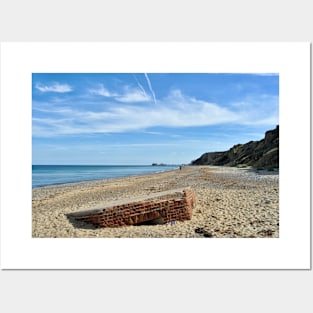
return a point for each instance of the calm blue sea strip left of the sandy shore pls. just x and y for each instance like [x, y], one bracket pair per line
[45, 175]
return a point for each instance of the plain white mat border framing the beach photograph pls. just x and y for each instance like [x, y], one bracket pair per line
[20, 251]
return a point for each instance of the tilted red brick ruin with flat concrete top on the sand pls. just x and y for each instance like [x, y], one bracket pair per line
[168, 206]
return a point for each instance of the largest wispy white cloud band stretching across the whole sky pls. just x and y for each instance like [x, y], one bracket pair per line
[177, 110]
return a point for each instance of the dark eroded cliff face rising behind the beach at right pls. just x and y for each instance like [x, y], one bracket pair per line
[259, 154]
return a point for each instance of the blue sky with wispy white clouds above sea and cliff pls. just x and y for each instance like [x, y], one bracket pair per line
[142, 118]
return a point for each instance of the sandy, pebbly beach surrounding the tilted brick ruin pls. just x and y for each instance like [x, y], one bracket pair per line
[231, 203]
